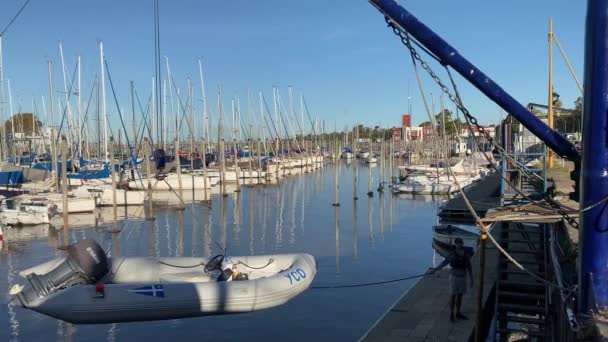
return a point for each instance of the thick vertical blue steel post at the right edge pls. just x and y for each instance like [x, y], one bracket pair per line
[593, 234]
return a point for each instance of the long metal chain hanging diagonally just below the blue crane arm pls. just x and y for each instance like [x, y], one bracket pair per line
[405, 40]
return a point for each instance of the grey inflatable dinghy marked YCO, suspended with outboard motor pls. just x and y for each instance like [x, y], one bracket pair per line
[88, 287]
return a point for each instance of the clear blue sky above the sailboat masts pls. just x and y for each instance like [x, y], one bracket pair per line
[340, 53]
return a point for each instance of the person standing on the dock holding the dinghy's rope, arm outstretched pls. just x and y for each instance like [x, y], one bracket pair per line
[460, 262]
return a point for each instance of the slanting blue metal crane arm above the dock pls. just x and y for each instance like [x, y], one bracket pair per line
[448, 55]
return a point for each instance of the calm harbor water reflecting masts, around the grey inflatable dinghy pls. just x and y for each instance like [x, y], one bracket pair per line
[371, 239]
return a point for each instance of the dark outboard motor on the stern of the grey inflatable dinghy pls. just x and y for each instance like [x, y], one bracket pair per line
[86, 263]
